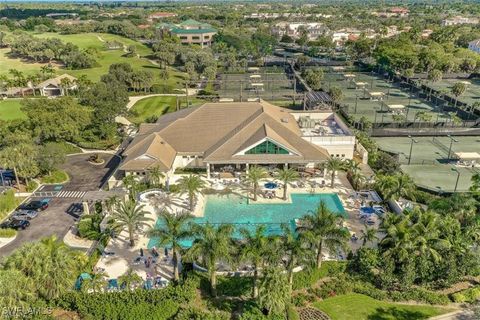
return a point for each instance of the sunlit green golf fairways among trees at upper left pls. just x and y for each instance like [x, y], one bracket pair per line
[105, 57]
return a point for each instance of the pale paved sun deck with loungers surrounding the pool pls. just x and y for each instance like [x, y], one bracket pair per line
[119, 263]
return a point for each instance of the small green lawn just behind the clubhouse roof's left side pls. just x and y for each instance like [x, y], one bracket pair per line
[157, 106]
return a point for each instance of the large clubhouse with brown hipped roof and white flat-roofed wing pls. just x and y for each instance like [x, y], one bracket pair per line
[229, 137]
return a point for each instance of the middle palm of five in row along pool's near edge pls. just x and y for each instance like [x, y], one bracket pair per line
[256, 248]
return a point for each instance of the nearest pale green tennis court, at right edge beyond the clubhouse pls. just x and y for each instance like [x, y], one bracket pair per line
[429, 166]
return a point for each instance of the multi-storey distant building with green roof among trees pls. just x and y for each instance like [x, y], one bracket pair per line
[191, 32]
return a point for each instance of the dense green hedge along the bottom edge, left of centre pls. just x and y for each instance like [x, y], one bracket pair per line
[131, 305]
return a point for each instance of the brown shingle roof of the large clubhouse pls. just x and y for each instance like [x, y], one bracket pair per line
[219, 131]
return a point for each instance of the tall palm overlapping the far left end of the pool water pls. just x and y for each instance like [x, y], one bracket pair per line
[171, 232]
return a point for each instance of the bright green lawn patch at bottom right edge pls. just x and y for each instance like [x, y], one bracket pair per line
[361, 307]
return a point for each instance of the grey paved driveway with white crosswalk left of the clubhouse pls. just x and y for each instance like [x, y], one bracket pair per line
[62, 212]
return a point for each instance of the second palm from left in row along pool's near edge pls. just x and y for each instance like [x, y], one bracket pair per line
[211, 244]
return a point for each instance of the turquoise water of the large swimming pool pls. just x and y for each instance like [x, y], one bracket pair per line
[237, 210]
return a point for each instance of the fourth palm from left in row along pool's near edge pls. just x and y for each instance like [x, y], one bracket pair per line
[294, 250]
